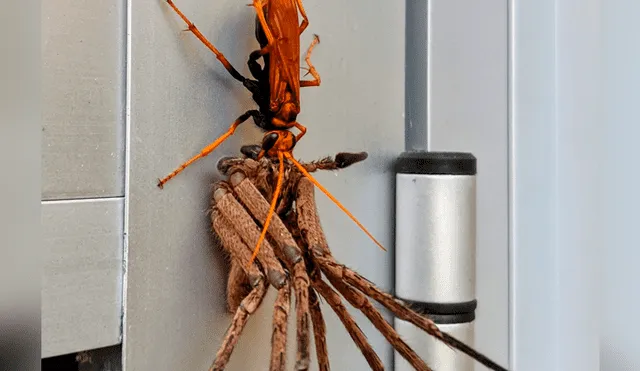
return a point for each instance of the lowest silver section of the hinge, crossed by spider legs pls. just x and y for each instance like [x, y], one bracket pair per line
[437, 355]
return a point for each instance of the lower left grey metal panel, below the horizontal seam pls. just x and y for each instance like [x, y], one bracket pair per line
[82, 278]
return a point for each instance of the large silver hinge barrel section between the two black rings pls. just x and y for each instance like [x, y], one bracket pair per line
[436, 238]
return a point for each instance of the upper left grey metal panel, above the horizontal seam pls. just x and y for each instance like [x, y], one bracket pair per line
[83, 99]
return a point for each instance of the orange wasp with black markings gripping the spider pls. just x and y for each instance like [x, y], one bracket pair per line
[276, 90]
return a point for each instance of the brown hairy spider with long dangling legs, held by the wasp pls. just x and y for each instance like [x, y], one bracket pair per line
[295, 254]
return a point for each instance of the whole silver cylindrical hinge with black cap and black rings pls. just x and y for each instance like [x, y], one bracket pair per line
[435, 251]
